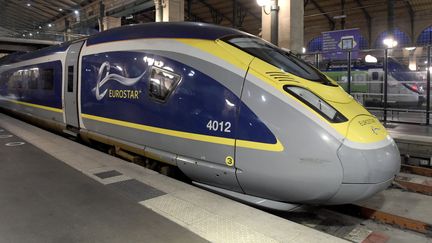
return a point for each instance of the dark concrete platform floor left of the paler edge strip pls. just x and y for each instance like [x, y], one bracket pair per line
[45, 200]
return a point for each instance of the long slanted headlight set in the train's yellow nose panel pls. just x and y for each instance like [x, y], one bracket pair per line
[316, 103]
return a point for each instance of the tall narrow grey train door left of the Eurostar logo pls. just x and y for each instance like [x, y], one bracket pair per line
[71, 85]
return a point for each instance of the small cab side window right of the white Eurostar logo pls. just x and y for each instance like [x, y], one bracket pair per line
[162, 83]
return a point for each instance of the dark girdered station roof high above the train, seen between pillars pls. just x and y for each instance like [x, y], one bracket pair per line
[25, 16]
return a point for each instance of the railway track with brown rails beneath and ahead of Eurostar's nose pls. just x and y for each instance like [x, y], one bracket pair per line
[402, 213]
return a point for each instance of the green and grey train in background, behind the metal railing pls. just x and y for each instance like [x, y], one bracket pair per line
[406, 88]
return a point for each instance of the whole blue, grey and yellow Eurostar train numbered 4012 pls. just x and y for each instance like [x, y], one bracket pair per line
[234, 113]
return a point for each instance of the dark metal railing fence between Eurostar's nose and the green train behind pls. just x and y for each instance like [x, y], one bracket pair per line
[393, 84]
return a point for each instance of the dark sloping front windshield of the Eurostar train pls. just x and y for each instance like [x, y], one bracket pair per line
[286, 61]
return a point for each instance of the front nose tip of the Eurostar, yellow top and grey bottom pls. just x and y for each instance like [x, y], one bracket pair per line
[367, 167]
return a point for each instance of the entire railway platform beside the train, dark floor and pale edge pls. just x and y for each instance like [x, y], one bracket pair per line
[57, 190]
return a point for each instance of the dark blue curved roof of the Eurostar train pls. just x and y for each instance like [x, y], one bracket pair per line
[187, 30]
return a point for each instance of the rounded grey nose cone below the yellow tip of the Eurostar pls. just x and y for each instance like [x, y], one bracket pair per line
[367, 169]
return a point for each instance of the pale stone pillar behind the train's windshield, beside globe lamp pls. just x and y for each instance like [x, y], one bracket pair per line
[290, 24]
